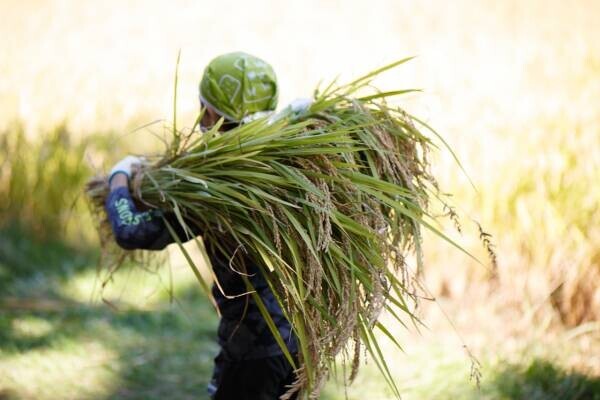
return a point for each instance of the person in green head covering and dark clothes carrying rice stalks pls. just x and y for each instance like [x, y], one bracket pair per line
[250, 364]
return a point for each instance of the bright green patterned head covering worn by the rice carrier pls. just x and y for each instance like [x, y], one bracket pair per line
[237, 85]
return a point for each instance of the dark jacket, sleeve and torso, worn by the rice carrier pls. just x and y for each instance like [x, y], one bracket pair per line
[243, 334]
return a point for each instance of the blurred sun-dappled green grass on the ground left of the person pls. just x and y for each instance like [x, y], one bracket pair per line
[58, 342]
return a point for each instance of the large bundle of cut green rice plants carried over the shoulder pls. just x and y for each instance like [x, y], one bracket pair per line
[328, 204]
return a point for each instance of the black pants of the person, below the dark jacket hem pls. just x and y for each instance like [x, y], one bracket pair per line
[259, 379]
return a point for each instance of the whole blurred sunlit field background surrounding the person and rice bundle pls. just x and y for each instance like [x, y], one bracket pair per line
[512, 86]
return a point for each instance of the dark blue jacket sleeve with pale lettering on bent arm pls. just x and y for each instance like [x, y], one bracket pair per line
[135, 229]
